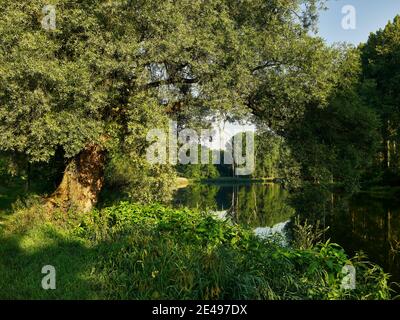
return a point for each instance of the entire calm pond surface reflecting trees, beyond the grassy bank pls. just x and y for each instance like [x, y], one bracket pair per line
[360, 223]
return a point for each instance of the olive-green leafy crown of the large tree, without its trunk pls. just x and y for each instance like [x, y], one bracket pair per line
[81, 81]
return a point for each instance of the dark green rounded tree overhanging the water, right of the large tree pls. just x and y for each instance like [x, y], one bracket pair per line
[337, 143]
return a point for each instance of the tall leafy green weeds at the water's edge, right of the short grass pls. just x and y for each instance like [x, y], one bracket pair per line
[162, 253]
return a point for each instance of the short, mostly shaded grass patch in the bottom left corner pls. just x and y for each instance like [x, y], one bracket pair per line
[23, 257]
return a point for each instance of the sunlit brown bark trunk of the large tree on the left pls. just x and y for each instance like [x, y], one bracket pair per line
[82, 181]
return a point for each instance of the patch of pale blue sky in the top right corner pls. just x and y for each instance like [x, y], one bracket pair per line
[371, 15]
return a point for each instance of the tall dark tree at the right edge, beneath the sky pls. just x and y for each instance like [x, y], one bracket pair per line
[381, 76]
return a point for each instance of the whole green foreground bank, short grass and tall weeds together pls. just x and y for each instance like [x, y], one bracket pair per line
[152, 252]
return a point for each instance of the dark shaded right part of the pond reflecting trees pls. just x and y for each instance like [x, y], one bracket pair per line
[358, 223]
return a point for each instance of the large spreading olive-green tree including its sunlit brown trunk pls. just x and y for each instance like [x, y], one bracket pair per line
[110, 70]
